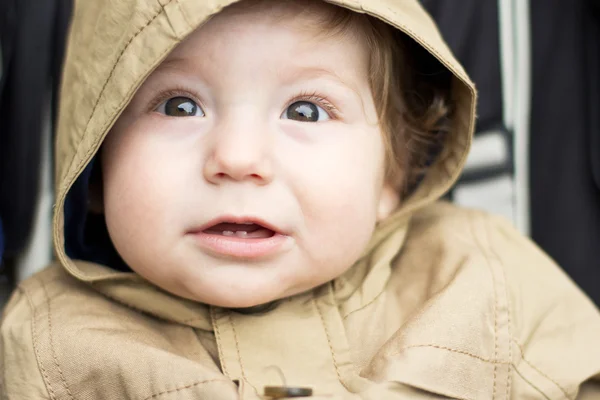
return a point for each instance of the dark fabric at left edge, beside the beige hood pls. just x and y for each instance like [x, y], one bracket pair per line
[32, 36]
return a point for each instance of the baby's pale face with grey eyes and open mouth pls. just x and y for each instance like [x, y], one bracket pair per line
[249, 166]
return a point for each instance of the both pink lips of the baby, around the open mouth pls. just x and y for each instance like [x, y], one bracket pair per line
[240, 248]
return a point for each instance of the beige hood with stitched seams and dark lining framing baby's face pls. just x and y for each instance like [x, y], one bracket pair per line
[115, 45]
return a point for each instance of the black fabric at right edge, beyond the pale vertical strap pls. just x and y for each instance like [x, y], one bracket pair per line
[565, 137]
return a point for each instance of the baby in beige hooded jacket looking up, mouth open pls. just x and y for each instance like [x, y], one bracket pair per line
[247, 208]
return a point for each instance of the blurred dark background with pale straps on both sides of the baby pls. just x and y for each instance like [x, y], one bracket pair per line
[535, 159]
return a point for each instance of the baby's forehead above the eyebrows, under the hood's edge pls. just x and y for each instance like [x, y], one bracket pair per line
[247, 30]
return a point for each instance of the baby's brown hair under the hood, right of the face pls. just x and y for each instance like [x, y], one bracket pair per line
[411, 93]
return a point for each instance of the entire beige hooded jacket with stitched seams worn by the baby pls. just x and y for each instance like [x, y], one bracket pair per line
[444, 303]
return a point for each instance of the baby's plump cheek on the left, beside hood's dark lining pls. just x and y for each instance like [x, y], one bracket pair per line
[141, 189]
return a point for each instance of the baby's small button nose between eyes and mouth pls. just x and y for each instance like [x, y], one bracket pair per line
[239, 153]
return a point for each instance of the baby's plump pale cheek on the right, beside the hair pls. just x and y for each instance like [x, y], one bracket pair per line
[340, 190]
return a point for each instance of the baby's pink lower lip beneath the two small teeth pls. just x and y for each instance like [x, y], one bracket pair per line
[243, 248]
